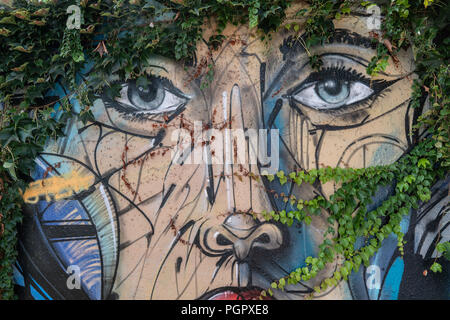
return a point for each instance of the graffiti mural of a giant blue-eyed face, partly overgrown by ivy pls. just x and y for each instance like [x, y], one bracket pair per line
[160, 197]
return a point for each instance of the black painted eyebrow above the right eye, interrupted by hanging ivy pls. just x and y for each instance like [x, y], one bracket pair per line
[292, 46]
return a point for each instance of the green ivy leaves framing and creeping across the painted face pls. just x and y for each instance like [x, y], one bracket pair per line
[38, 51]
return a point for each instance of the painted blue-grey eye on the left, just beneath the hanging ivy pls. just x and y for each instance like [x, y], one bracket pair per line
[157, 95]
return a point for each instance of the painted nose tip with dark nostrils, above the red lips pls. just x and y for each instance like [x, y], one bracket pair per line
[239, 234]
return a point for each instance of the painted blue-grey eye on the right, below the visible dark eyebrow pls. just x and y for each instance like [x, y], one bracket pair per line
[332, 93]
